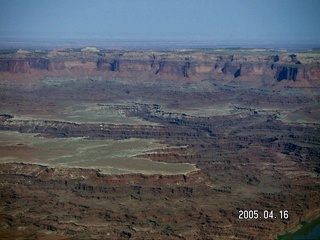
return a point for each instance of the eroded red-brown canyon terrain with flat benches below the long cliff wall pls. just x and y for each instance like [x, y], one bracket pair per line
[99, 158]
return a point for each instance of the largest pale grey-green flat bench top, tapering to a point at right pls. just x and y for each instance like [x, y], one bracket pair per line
[109, 156]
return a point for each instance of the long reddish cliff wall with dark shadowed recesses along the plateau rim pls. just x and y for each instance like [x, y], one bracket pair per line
[302, 69]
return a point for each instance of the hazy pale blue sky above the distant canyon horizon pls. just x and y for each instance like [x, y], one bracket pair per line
[215, 20]
